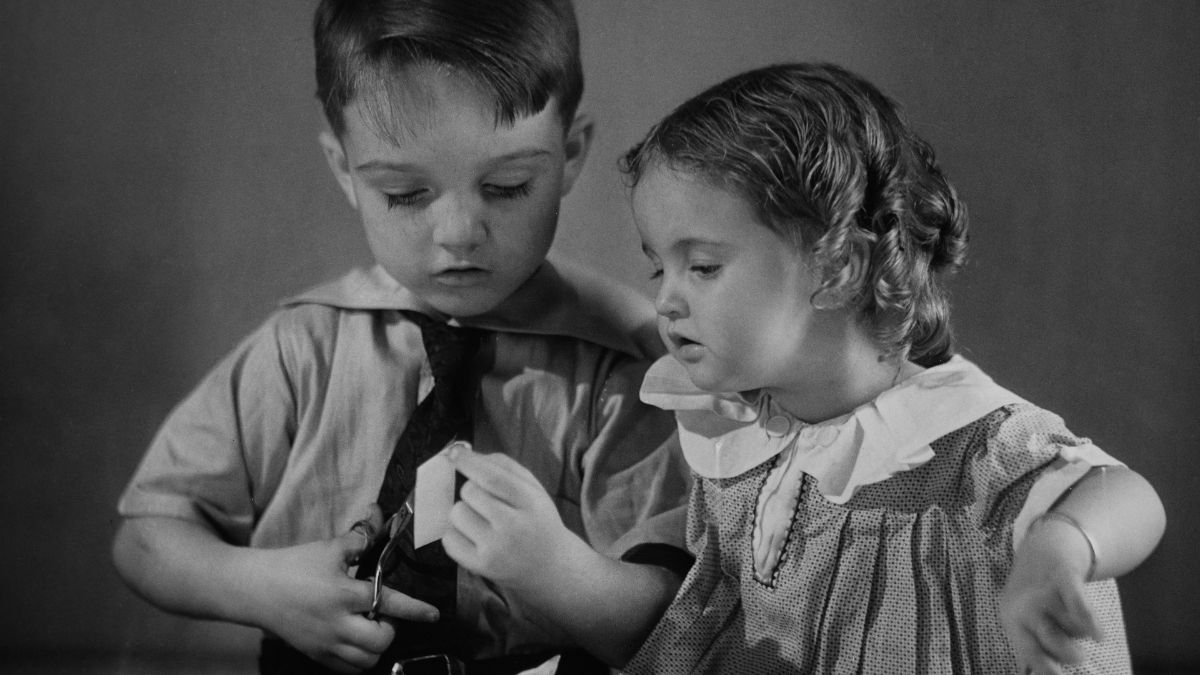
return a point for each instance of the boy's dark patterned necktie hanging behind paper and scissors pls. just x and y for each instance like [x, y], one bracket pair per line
[445, 416]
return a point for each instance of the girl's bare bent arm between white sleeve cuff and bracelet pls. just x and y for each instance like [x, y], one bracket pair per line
[1123, 515]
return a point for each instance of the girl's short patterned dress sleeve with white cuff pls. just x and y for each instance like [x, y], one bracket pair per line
[1030, 462]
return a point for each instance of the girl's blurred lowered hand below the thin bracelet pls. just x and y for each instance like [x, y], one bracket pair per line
[1043, 610]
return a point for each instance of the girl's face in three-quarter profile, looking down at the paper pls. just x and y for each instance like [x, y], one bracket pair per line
[734, 298]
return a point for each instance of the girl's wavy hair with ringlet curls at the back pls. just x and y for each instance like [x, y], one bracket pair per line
[831, 166]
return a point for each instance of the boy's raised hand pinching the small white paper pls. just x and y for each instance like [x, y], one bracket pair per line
[506, 524]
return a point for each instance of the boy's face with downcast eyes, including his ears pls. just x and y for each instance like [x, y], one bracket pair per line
[459, 210]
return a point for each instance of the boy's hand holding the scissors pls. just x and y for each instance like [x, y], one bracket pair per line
[314, 605]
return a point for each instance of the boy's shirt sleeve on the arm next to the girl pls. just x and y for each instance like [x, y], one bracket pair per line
[637, 482]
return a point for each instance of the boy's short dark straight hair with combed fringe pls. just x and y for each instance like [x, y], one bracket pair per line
[519, 52]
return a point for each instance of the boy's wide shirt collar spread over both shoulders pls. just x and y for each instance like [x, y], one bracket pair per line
[565, 301]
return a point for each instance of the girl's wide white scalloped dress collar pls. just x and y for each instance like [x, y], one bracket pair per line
[724, 435]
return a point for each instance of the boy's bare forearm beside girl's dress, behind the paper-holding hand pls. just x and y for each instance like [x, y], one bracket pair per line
[607, 606]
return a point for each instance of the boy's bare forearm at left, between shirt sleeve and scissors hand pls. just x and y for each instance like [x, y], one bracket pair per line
[185, 569]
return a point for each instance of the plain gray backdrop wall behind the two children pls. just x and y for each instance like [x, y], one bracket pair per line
[163, 188]
